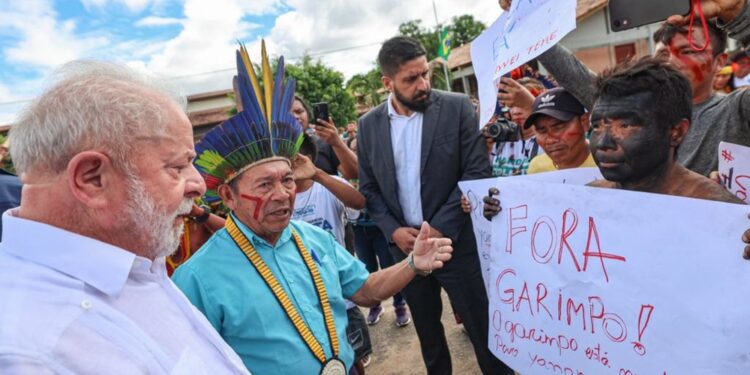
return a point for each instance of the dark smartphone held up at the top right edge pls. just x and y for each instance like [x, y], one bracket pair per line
[627, 14]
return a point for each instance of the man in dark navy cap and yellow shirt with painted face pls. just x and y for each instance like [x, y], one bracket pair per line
[561, 123]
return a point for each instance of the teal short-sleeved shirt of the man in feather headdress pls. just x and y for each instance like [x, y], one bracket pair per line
[221, 282]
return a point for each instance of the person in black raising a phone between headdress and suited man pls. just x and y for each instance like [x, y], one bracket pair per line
[333, 154]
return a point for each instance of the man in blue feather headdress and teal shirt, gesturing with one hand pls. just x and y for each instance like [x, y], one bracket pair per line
[274, 289]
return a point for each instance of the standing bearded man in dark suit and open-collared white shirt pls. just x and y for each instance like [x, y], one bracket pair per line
[413, 149]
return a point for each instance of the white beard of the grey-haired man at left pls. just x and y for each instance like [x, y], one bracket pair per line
[152, 223]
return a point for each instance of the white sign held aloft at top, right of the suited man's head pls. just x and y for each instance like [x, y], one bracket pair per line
[528, 29]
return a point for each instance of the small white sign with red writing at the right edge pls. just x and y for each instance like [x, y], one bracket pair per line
[734, 169]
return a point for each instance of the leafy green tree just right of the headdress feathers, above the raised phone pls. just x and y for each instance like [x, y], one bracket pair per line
[317, 82]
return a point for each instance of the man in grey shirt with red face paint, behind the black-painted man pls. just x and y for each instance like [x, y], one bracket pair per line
[715, 118]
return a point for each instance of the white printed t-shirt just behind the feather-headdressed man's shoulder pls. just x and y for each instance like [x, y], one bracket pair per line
[321, 208]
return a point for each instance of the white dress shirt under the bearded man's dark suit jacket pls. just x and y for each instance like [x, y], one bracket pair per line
[406, 140]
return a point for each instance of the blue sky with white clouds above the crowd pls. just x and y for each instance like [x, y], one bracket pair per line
[192, 42]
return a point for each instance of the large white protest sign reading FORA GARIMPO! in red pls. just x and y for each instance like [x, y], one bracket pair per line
[604, 281]
